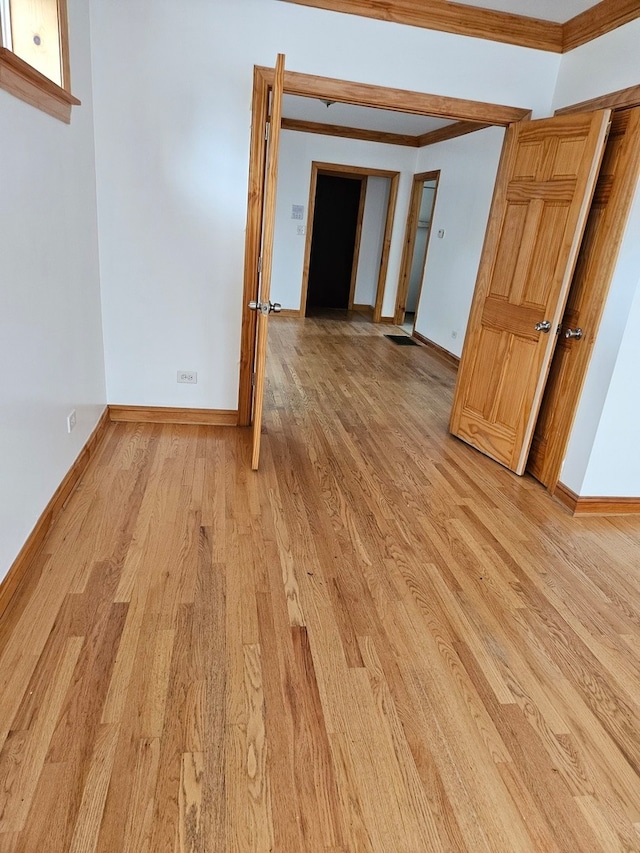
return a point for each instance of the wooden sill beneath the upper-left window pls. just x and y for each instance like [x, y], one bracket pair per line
[23, 81]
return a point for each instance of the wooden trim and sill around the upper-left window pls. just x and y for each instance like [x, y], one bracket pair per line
[23, 81]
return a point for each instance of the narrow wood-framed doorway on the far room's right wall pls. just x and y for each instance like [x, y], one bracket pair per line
[416, 245]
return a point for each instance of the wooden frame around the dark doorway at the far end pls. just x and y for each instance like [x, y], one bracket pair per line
[362, 173]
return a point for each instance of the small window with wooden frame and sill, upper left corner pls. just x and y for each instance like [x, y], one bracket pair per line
[34, 54]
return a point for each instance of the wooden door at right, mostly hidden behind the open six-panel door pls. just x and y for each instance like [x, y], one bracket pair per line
[612, 200]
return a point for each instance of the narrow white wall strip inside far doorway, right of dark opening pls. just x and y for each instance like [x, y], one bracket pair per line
[372, 240]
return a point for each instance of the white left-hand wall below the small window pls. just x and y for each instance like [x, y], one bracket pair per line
[50, 325]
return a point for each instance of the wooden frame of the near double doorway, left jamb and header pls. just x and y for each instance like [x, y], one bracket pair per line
[360, 94]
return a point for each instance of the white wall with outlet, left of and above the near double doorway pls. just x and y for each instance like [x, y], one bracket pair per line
[173, 95]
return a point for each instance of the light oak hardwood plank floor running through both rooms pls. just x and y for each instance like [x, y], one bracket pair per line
[382, 641]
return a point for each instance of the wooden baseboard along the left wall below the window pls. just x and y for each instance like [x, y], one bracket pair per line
[21, 565]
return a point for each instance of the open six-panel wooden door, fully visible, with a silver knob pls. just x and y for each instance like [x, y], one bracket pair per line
[544, 187]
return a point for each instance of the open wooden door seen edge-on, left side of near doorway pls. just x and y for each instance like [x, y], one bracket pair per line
[264, 306]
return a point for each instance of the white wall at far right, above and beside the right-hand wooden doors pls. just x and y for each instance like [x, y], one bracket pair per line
[602, 457]
